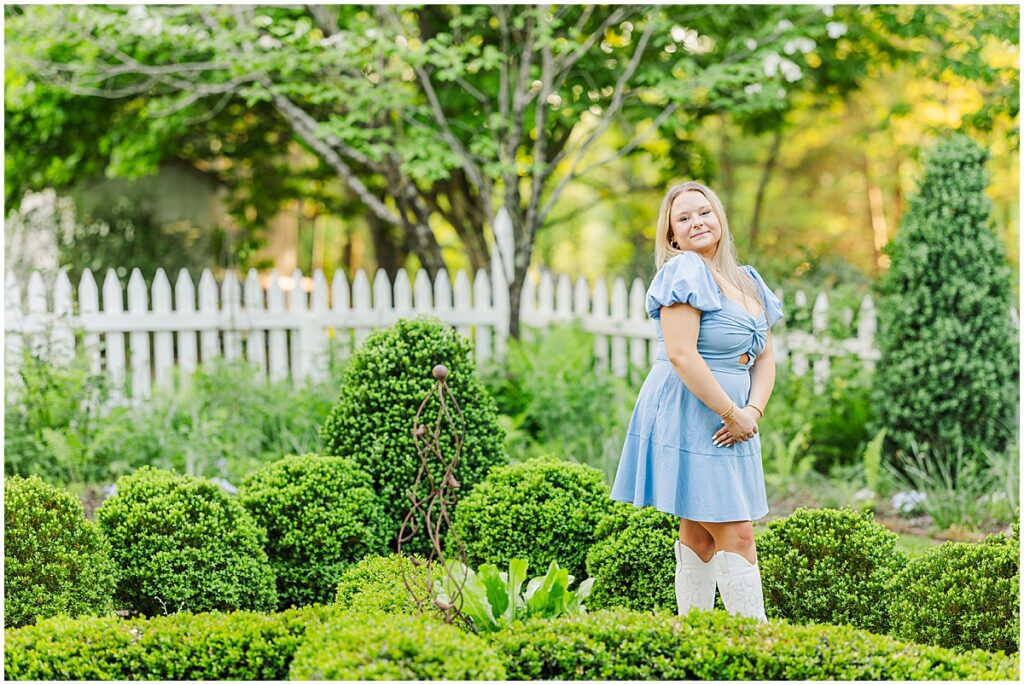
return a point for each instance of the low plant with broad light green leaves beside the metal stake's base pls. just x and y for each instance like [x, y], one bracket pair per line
[495, 600]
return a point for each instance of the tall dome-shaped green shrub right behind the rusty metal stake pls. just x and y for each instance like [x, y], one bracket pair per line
[387, 380]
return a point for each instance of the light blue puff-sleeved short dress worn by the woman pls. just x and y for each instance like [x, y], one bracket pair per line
[669, 460]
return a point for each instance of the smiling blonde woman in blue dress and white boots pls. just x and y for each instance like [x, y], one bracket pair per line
[693, 448]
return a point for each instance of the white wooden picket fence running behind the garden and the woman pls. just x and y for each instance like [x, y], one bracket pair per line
[285, 331]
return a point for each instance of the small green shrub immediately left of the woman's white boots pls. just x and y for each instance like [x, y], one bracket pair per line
[633, 560]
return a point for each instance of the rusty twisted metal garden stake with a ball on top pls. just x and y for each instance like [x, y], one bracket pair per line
[431, 513]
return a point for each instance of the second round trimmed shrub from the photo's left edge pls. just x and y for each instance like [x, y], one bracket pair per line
[182, 544]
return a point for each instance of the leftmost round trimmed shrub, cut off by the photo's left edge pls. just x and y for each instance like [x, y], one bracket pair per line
[56, 562]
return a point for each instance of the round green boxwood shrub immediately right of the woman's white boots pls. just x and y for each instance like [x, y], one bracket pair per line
[829, 566]
